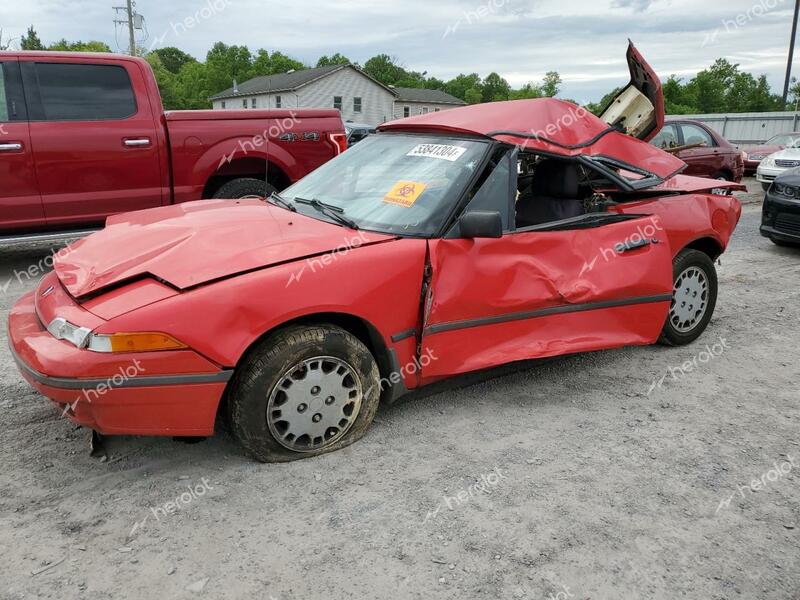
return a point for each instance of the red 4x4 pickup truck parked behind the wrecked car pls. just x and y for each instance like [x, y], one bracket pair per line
[85, 136]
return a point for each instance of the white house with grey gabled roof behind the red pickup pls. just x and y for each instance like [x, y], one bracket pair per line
[360, 98]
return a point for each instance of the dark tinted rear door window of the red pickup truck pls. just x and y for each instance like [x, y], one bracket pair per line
[79, 92]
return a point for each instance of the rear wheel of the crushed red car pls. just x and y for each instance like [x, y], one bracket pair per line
[694, 280]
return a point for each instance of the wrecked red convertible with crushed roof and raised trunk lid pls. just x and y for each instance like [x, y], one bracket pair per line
[446, 243]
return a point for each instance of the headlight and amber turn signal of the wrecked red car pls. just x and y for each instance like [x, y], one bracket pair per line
[81, 337]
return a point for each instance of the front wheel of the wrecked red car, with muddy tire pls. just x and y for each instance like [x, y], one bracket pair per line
[302, 392]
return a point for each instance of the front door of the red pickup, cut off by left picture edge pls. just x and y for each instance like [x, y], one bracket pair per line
[20, 202]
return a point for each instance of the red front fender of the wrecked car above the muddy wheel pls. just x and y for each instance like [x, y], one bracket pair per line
[380, 284]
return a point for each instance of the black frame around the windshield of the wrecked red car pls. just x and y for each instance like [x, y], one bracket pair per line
[456, 202]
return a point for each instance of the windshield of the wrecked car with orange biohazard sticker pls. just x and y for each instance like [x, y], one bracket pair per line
[392, 183]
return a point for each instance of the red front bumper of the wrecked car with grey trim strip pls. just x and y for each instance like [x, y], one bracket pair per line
[172, 393]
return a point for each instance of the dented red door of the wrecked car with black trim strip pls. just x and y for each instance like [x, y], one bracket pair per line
[578, 285]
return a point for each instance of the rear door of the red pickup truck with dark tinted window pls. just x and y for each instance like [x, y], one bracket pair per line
[93, 131]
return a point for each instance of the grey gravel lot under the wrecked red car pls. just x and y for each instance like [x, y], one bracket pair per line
[620, 474]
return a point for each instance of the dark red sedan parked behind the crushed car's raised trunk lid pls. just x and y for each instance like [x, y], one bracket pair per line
[706, 152]
